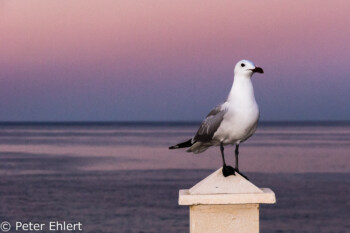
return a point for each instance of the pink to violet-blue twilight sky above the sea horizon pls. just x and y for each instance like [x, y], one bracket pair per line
[162, 60]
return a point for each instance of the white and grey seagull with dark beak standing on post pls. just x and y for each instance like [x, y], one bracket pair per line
[231, 122]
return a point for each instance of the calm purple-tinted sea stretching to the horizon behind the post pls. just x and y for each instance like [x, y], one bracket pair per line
[121, 177]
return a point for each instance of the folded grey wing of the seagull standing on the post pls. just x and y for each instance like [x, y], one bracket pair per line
[210, 124]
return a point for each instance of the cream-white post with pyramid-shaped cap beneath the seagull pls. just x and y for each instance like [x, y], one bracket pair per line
[221, 204]
